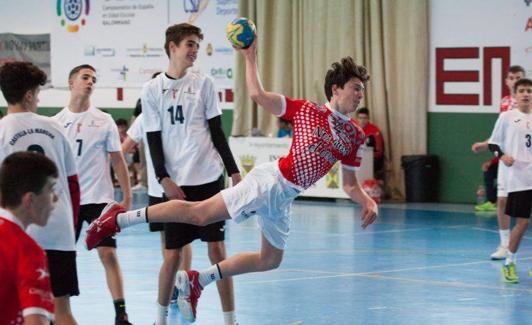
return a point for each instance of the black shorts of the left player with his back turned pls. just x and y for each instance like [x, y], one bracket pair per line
[63, 273]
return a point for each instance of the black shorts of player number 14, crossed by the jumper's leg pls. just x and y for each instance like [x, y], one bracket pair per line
[178, 235]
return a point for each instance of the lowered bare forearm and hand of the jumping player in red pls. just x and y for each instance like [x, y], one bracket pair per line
[357, 194]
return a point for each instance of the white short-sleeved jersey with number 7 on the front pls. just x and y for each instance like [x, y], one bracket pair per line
[92, 135]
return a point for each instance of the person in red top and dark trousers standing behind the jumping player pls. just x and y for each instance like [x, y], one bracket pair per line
[373, 139]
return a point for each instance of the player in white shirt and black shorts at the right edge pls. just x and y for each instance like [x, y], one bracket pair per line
[511, 141]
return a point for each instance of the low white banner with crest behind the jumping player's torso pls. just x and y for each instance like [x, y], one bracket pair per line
[253, 151]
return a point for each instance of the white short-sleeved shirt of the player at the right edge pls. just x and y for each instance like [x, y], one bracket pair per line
[513, 134]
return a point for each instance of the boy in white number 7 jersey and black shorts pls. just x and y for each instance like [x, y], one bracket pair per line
[93, 137]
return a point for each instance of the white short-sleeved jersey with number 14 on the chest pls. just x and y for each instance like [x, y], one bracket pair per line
[180, 108]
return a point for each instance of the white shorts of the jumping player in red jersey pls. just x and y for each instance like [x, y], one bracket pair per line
[266, 193]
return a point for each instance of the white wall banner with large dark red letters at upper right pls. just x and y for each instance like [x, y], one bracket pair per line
[472, 45]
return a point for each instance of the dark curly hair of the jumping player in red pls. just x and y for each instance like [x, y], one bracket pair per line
[342, 72]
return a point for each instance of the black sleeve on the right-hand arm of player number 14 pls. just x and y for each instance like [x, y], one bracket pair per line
[221, 145]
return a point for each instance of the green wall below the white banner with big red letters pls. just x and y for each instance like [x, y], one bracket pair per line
[450, 138]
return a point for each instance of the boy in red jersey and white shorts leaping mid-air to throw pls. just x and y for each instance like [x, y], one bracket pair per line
[322, 136]
